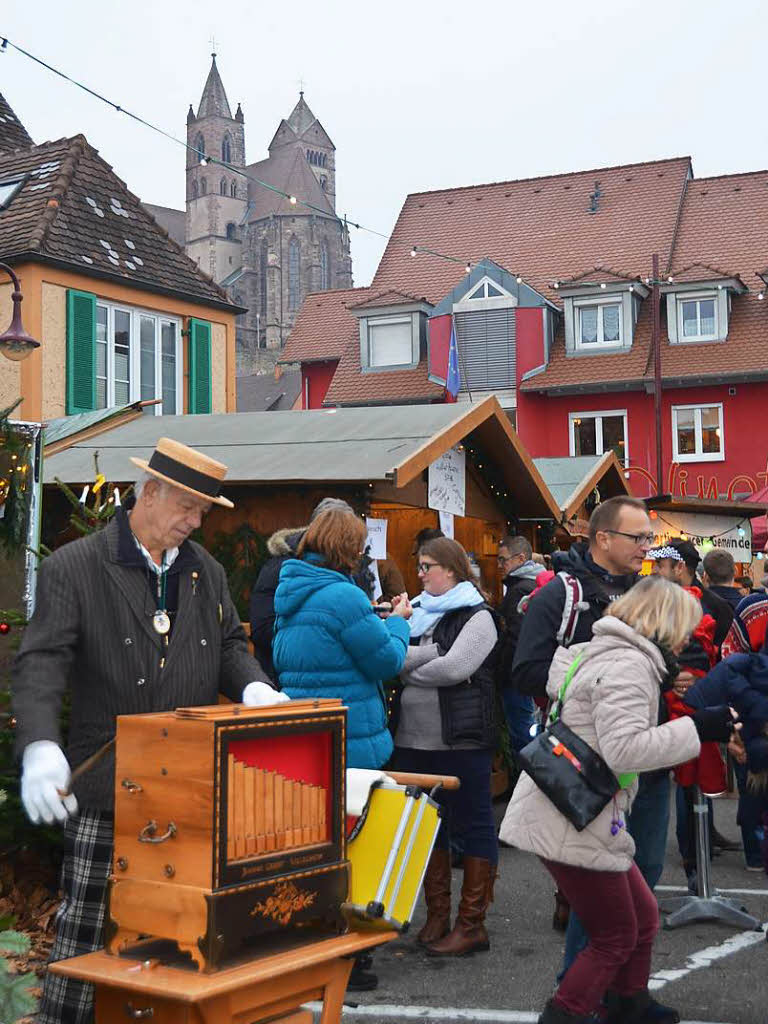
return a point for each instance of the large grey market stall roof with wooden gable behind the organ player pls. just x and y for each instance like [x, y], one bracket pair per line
[366, 445]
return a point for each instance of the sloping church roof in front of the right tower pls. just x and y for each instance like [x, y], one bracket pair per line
[288, 170]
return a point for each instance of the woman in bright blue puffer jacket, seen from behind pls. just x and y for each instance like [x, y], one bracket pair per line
[329, 643]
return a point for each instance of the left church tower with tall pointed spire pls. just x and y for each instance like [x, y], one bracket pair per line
[217, 198]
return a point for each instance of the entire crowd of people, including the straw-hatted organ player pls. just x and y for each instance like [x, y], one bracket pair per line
[654, 673]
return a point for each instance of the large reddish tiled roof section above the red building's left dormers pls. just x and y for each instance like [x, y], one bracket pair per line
[541, 229]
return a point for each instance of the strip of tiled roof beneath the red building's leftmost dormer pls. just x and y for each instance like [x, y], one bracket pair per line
[352, 388]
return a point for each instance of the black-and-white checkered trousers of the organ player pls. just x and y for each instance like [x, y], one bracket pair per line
[80, 919]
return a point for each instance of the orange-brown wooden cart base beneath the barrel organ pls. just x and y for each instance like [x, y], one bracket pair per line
[271, 989]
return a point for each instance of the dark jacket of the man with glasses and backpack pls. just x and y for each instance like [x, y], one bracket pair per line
[537, 644]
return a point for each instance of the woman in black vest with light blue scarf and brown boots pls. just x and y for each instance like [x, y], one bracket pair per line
[447, 727]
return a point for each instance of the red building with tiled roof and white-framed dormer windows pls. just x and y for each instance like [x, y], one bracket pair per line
[548, 283]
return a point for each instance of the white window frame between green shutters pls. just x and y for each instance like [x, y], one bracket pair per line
[136, 314]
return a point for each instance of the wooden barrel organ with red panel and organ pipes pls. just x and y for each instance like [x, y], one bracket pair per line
[230, 829]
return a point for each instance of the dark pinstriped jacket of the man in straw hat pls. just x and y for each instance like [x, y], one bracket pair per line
[92, 634]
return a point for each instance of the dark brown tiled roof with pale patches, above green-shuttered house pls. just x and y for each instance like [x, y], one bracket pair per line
[73, 208]
